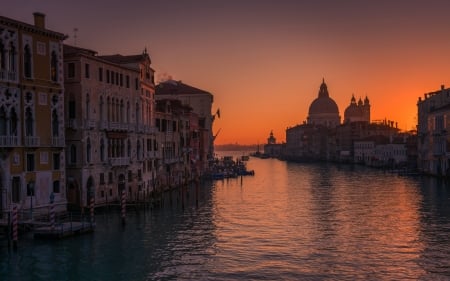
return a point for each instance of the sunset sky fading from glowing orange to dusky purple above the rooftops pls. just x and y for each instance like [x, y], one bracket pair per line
[264, 60]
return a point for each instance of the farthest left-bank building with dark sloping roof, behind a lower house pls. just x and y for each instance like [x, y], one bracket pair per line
[201, 103]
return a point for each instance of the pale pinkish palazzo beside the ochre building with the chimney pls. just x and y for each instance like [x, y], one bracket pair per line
[110, 132]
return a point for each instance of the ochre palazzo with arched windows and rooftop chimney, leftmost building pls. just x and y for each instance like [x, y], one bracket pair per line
[32, 153]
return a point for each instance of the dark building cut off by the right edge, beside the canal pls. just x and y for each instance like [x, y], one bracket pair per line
[432, 132]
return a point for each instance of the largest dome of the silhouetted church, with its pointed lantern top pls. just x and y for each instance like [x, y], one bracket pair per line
[324, 110]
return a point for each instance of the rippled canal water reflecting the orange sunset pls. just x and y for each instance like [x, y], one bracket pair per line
[289, 221]
